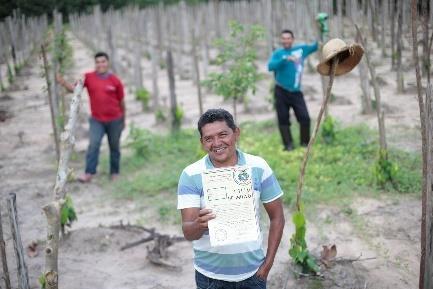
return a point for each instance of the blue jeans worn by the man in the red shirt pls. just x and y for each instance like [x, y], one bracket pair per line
[97, 130]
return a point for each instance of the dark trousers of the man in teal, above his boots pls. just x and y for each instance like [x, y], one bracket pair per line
[285, 100]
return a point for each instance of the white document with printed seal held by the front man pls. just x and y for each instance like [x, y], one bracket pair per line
[229, 193]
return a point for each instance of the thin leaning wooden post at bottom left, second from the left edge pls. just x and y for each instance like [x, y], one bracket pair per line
[23, 277]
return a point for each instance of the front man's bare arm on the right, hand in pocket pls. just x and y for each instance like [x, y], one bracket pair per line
[276, 215]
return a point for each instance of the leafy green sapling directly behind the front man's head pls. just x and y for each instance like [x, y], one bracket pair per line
[236, 58]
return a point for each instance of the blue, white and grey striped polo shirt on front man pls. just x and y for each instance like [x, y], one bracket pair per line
[235, 262]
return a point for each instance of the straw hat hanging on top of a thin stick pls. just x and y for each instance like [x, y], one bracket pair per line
[349, 56]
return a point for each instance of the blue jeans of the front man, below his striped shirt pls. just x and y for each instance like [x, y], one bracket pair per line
[204, 282]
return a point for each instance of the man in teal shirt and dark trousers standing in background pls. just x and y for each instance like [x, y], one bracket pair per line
[287, 63]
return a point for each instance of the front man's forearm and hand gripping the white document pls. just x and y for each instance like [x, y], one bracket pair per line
[194, 222]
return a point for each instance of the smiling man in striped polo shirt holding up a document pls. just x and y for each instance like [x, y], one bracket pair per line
[237, 266]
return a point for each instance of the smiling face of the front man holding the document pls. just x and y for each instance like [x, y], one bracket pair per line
[219, 141]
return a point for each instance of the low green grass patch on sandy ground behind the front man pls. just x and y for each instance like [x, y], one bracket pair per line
[336, 172]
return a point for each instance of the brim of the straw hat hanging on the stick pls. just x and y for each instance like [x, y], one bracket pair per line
[350, 56]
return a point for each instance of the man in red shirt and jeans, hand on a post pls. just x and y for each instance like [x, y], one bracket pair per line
[107, 108]
